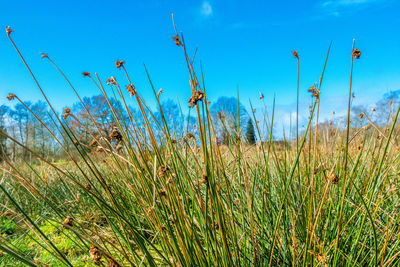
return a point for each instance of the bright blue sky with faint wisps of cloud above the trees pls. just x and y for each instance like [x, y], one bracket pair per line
[245, 42]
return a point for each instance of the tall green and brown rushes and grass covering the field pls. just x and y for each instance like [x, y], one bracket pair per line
[328, 197]
